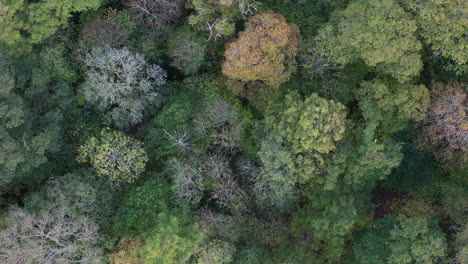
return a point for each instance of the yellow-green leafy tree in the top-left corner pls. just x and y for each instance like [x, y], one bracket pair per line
[24, 22]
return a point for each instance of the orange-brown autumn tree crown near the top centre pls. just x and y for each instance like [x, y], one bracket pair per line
[265, 51]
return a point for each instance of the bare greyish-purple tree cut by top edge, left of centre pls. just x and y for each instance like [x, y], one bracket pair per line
[157, 13]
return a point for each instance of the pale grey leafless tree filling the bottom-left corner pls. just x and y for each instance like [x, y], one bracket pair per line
[56, 236]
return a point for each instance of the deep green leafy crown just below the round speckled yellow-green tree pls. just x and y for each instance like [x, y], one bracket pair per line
[138, 212]
